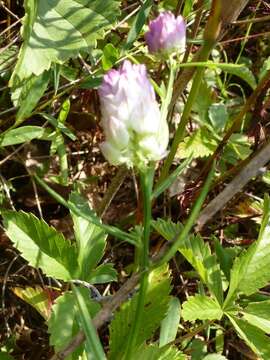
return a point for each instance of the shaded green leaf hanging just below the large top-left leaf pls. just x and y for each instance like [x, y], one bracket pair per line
[26, 93]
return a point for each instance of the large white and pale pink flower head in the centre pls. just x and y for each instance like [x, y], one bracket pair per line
[134, 130]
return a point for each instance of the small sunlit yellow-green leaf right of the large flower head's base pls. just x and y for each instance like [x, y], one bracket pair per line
[199, 144]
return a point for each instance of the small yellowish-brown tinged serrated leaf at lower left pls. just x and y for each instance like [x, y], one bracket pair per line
[41, 299]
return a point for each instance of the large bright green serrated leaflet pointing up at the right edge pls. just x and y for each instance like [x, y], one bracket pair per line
[251, 270]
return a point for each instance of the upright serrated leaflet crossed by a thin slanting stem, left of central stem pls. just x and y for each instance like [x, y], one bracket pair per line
[91, 239]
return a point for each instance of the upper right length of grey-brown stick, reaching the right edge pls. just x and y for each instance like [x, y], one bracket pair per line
[249, 171]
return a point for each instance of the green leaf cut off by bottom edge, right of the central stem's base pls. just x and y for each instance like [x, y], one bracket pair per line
[153, 352]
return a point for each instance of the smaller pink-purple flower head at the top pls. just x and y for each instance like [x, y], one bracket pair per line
[167, 34]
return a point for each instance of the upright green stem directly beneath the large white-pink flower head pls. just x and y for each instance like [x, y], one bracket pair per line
[146, 188]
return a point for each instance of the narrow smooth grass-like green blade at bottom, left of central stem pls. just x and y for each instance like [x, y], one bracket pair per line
[93, 347]
